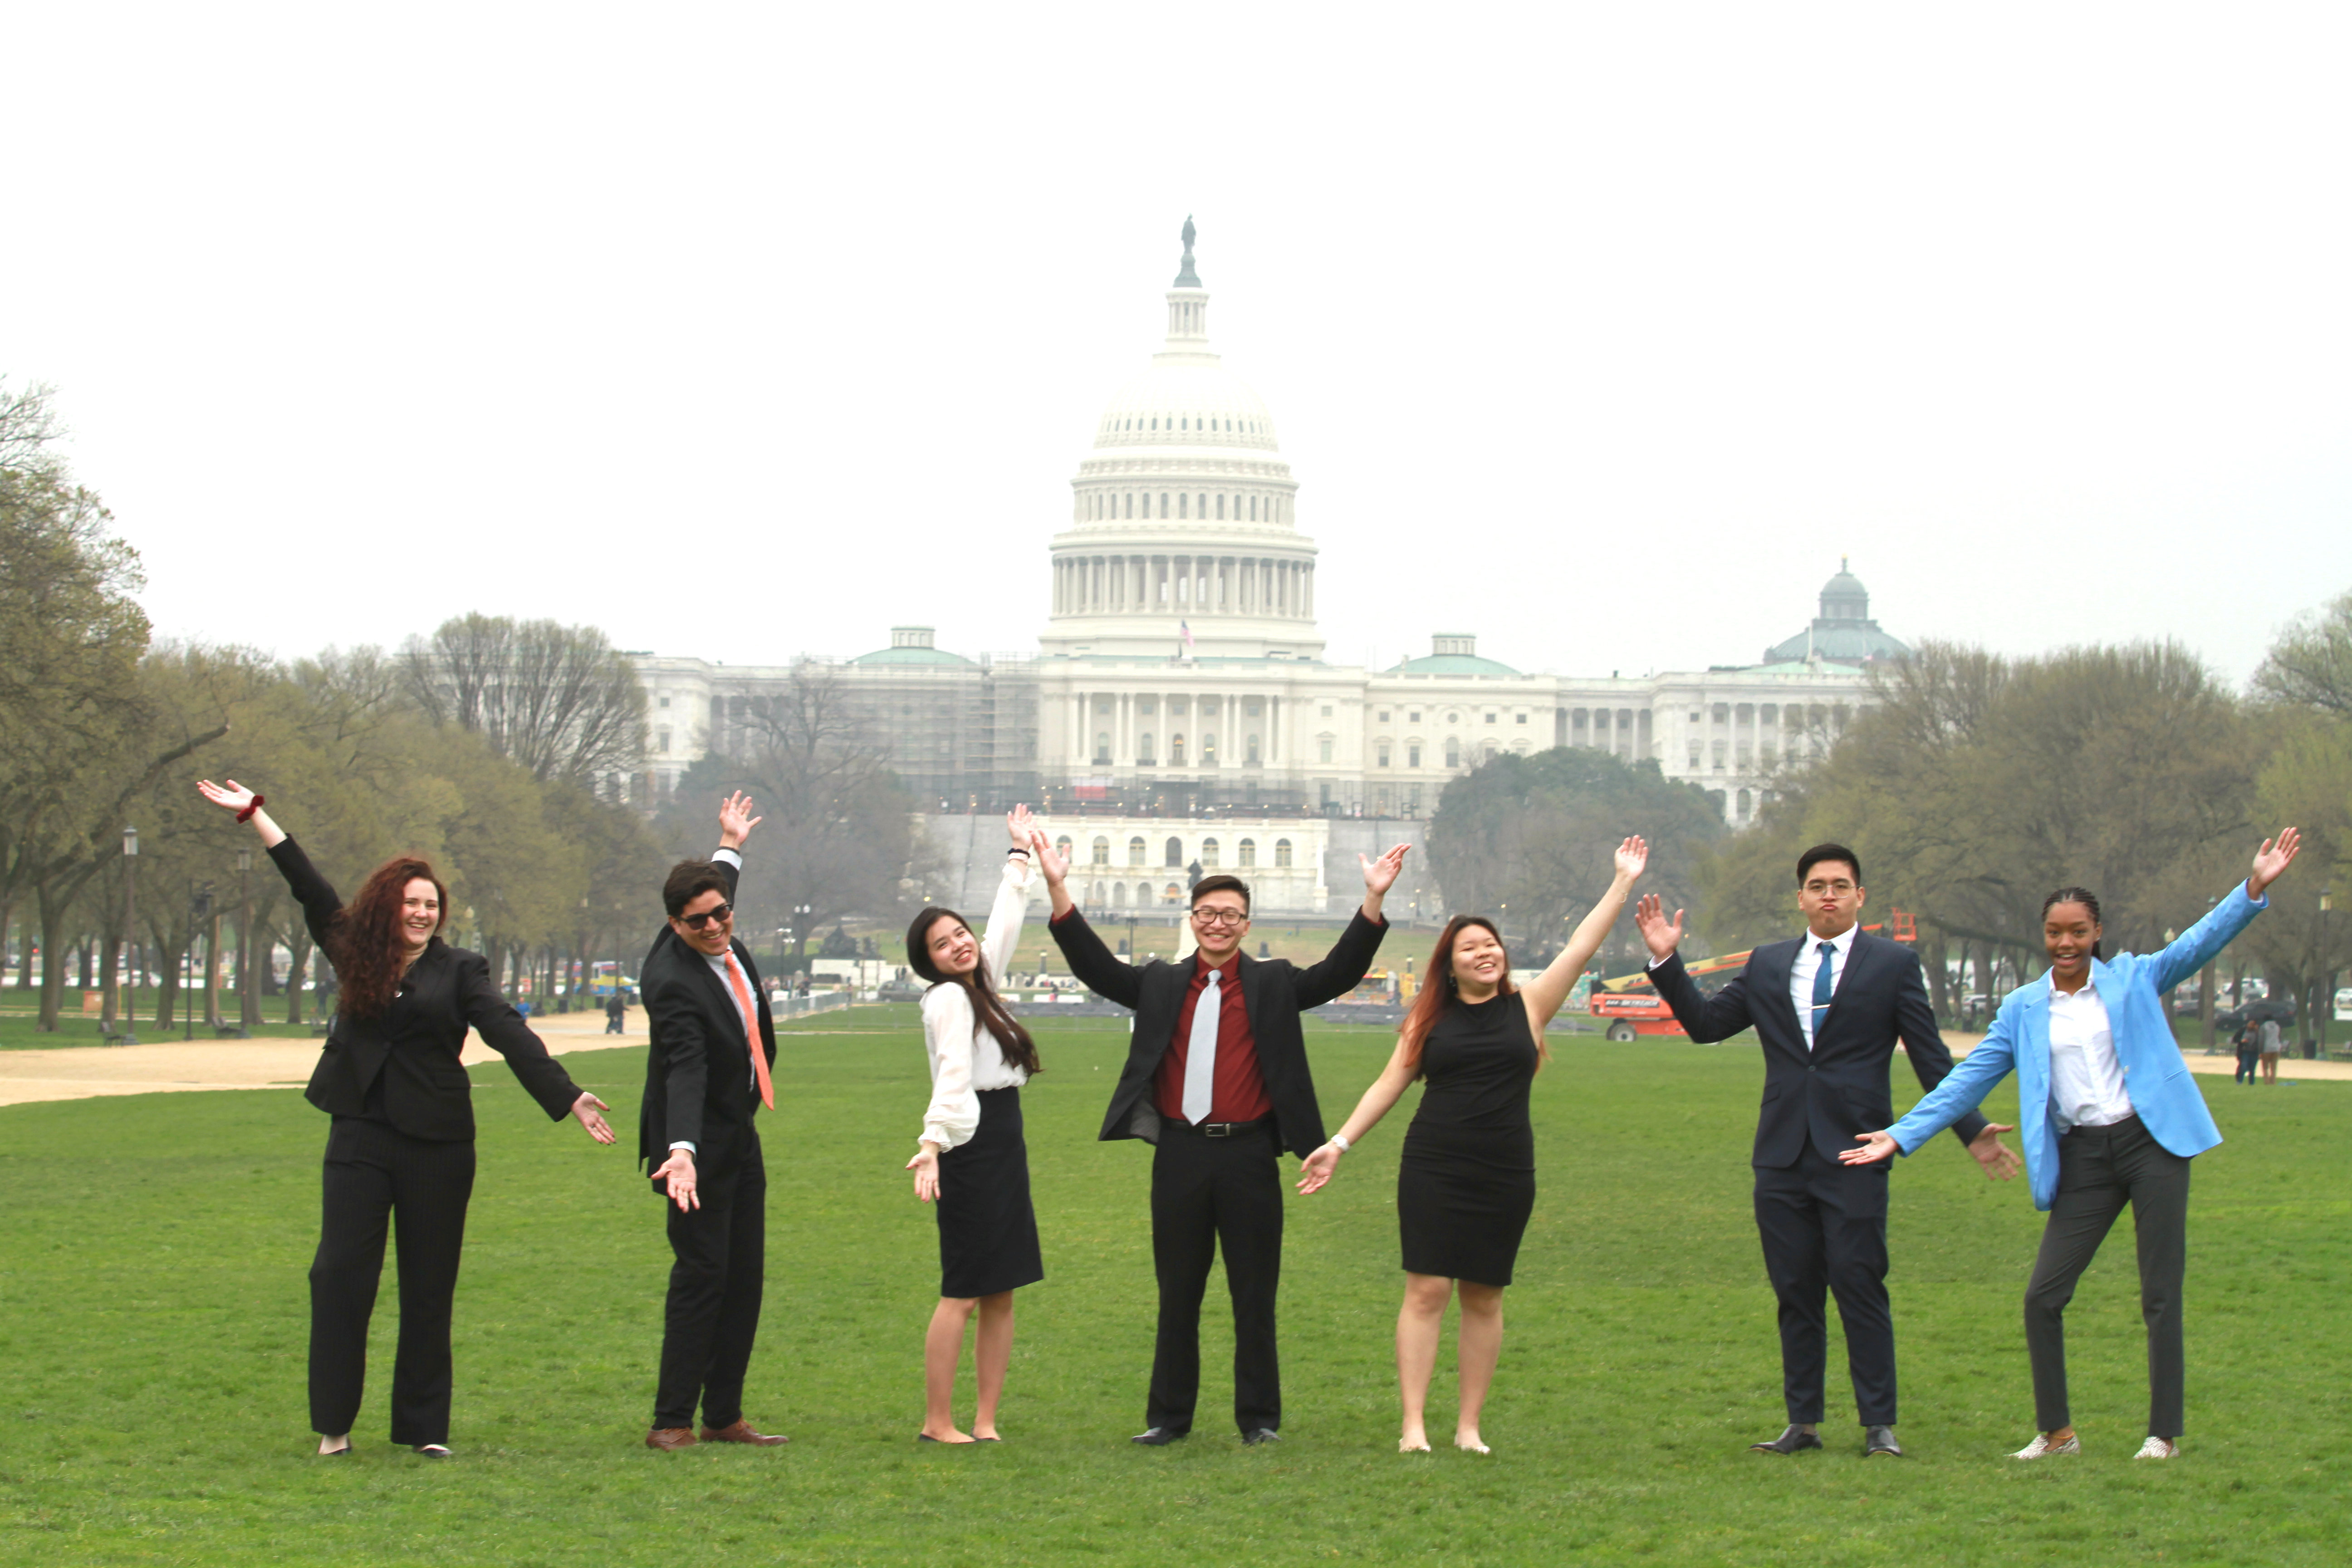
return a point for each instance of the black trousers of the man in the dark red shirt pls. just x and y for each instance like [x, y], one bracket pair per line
[1215, 1193]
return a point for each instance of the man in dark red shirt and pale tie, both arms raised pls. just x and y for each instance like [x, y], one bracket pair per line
[1217, 1078]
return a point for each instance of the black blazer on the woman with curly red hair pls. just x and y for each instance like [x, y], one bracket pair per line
[415, 1045]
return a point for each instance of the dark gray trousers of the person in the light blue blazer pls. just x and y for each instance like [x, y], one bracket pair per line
[2099, 1172]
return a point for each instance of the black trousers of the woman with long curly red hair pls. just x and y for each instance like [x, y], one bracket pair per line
[377, 1174]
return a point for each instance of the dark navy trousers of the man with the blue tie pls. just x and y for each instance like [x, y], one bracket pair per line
[1824, 1228]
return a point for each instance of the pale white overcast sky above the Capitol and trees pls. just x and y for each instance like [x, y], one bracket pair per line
[1593, 330]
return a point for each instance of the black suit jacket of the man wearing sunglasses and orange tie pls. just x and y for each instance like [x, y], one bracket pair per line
[697, 1073]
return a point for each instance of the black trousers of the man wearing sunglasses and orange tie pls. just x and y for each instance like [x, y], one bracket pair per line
[714, 1308]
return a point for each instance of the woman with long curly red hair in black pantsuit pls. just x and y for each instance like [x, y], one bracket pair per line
[403, 1125]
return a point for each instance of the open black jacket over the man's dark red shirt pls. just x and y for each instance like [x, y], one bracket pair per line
[1274, 993]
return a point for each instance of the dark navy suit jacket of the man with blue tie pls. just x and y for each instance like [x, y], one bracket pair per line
[1836, 1090]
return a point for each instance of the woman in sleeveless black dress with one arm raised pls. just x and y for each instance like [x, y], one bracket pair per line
[1466, 1179]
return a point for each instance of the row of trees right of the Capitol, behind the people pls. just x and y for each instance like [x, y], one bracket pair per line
[1972, 786]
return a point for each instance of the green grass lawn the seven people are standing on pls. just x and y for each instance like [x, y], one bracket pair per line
[154, 1320]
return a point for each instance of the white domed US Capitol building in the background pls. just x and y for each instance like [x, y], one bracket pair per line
[1180, 676]
